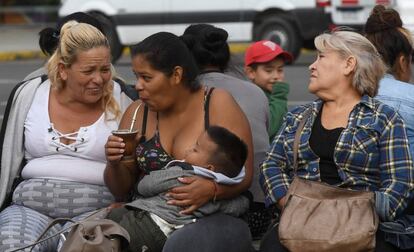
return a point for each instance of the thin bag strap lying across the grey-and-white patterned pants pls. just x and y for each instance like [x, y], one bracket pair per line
[54, 222]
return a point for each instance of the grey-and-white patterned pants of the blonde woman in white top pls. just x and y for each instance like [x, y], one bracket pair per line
[37, 201]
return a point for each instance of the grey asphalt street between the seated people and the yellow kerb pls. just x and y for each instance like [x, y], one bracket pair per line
[12, 72]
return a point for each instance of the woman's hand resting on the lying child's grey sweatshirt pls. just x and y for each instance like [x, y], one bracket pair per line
[196, 192]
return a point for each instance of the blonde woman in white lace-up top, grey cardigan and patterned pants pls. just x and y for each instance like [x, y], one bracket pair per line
[64, 122]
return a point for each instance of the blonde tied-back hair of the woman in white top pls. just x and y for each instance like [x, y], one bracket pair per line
[74, 38]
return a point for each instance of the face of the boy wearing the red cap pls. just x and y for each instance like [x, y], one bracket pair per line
[267, 74]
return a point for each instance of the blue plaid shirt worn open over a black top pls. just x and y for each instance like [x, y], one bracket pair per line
[372, 153]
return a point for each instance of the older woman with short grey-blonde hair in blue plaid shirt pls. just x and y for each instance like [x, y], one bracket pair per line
[350, 140]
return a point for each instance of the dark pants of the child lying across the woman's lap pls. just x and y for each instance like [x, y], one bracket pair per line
[144, 232]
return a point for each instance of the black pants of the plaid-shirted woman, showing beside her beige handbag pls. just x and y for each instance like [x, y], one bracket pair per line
[271, 243]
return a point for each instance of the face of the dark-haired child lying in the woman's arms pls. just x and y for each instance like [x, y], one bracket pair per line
[201, 152]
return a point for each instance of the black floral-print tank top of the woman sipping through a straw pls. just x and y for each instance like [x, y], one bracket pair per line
[150, 154]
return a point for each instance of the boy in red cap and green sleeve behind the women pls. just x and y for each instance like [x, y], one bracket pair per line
[263, 64]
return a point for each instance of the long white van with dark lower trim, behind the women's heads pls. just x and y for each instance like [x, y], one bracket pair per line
[290, 23]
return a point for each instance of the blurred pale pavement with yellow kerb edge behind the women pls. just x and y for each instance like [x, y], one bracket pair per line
[21, 42]
